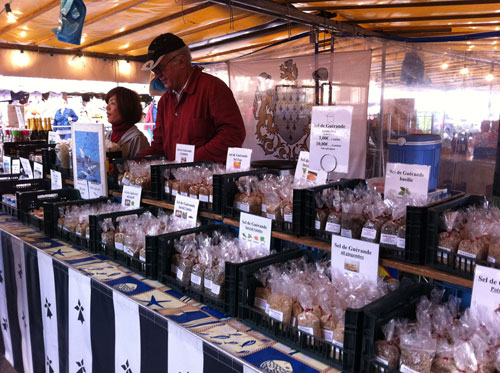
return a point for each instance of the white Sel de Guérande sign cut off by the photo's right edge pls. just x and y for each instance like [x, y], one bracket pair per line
[486, 288]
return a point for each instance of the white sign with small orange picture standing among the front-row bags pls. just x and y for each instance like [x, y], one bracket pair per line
[355, 257]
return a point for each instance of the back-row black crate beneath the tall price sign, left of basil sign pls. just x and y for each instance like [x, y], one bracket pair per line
[310, 207]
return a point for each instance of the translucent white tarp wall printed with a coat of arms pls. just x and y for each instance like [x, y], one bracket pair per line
[275, 97]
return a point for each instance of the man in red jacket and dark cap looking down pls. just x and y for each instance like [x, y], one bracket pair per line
[198, 109]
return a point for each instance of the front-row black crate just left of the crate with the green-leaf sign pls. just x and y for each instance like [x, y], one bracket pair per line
[148, 268]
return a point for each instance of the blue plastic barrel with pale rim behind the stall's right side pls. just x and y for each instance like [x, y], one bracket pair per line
[417, 149]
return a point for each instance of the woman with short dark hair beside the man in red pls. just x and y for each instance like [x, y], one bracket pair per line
[124, 110]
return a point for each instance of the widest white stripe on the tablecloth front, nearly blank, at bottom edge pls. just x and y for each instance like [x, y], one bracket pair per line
[182, 344]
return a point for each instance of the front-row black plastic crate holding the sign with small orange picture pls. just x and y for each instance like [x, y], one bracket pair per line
[346, 358]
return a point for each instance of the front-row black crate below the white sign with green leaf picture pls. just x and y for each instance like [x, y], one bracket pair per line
[229, 302]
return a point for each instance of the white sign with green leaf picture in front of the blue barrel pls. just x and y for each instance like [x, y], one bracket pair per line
[406, 179]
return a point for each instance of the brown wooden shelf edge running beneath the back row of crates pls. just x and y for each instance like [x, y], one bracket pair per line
[401, 266]
